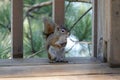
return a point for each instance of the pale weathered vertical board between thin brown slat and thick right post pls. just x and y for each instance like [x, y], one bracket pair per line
[102, 25]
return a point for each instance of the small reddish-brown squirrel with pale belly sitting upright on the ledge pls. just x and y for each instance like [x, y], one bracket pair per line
[56, 40]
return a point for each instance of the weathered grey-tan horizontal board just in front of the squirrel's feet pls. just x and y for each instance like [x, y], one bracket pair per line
[57, 70]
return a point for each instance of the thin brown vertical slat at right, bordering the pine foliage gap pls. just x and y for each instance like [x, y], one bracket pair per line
[94, 28]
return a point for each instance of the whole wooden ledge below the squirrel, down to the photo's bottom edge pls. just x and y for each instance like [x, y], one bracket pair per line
[59, 71]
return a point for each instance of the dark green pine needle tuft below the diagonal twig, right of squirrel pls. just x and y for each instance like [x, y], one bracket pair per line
[83, 30]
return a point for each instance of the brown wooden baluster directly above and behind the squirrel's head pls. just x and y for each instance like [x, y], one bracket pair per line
[58, 11]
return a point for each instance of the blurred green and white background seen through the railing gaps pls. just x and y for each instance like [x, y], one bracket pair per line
[79, 43]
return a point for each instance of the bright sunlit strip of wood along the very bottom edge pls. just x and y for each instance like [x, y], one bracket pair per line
[70, 77]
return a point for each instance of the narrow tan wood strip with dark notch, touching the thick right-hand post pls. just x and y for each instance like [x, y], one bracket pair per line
[106, 28]
